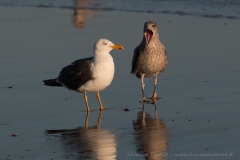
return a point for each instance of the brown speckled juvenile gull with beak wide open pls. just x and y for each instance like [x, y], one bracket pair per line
[149, 58]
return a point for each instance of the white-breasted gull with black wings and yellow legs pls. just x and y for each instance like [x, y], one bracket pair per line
[91, 74]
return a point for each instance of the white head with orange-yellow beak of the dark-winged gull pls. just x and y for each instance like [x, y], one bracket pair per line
[104, 45]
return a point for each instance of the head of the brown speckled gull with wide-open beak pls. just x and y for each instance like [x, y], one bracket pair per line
[150, 29]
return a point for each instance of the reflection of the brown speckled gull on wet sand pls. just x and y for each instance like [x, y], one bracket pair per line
[151, 135]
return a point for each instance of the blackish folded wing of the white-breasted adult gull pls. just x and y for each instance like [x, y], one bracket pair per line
[76, 74]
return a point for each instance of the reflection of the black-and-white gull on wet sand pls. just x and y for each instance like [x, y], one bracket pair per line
[89, 142]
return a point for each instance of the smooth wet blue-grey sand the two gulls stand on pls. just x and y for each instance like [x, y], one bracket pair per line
[197, 115]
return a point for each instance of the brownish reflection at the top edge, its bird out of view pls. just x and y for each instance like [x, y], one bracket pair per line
[80, 13]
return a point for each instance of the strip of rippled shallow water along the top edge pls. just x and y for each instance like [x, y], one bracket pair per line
[207, 8]
